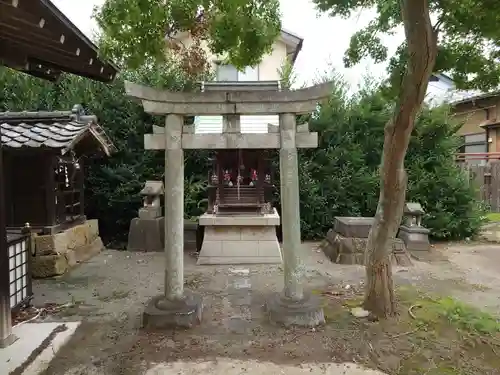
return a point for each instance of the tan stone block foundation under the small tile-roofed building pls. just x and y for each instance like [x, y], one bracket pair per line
[57, 253]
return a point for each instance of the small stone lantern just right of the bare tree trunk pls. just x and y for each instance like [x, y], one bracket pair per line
[413, 234]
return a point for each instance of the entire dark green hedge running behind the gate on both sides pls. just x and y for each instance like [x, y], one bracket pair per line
[338, 178]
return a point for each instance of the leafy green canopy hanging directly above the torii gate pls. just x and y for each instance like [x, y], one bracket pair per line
[135, 31]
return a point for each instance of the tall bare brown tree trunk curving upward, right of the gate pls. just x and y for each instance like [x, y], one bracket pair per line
[421, 39]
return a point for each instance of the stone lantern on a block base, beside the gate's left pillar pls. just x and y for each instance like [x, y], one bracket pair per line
[146, 231]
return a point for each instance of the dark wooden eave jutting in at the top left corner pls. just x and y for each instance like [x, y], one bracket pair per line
[38, 39]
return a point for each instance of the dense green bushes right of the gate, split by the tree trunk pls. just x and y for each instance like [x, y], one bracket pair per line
[341, 177]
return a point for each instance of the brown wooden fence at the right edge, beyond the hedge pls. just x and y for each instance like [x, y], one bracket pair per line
[486, 178]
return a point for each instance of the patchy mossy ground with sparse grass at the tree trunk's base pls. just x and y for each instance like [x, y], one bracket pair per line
[431, 335]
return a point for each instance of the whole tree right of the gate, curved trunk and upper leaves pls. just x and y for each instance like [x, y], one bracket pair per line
[463, 40]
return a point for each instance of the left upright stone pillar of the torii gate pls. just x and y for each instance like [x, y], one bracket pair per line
[174, 208]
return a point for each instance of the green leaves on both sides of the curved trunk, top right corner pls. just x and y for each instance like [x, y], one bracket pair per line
[467, 30]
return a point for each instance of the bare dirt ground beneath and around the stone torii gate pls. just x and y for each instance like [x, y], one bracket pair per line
[110, 291]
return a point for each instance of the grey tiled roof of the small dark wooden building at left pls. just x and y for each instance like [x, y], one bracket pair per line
[52, 130]
